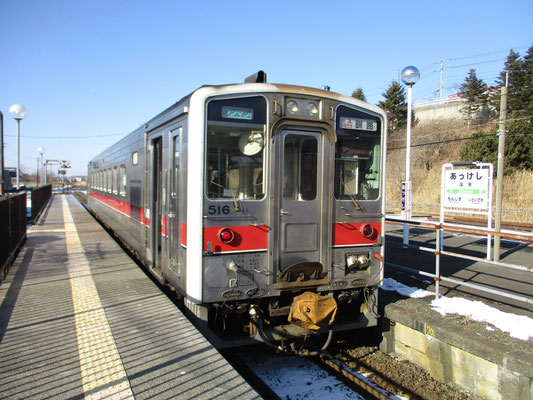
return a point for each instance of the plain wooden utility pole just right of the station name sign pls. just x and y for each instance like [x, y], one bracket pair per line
[499, 173]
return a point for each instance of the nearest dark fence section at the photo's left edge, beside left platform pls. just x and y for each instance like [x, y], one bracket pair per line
[12, 229]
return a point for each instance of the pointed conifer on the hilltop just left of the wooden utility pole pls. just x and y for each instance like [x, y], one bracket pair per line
[474, 91]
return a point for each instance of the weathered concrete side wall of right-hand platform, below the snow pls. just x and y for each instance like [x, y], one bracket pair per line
[492, 370]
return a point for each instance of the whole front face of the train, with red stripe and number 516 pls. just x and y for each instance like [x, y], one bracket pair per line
[285, 196]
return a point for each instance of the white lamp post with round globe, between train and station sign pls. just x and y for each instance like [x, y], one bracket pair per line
[410, 75]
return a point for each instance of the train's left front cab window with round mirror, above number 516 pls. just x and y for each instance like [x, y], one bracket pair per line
[236, 138]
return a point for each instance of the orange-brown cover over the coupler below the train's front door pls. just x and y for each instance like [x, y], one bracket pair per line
[313, 311]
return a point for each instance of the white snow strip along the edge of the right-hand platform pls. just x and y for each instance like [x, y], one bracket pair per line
[518, 326]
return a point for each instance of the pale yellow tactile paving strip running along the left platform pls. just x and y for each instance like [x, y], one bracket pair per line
[103, 374]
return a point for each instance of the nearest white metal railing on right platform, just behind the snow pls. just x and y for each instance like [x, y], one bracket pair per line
[439, 251]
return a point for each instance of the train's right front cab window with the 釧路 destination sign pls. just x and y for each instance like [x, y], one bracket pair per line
[357, 155]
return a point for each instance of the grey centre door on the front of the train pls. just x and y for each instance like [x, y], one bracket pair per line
[302, 232]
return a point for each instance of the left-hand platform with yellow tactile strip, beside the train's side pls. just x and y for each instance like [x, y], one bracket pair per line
[79, 319]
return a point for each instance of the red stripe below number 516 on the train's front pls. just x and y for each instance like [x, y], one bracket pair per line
[245, 239]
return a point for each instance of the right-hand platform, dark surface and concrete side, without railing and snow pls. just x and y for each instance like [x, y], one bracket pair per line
[456, 348]
